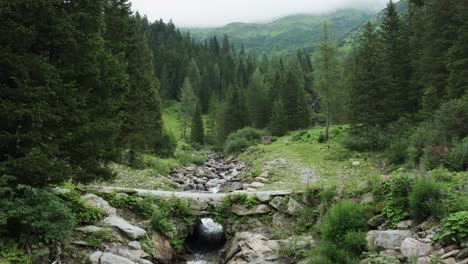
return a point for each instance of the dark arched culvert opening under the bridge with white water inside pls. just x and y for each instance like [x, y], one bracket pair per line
[207, 237]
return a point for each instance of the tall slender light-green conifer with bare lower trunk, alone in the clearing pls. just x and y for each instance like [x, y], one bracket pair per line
[326, 72]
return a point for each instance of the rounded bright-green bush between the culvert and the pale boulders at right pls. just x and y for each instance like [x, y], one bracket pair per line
[343, 217]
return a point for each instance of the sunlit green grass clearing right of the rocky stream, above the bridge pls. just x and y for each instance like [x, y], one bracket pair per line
[301, 150]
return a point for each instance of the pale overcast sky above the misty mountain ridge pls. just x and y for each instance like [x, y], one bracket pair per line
[221, 12]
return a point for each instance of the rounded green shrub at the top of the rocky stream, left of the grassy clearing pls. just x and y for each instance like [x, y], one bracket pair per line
[242, 139]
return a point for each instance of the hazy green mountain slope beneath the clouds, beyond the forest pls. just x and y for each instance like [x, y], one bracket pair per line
[285, 34]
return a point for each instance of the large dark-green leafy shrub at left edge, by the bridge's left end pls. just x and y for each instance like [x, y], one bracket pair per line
[34, 215]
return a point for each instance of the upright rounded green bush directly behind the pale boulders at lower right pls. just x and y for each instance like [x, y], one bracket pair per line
[425, 199]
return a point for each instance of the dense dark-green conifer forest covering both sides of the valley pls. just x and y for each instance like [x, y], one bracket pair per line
[83, 85]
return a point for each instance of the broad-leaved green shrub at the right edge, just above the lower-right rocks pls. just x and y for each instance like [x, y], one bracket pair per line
[455, 228]
